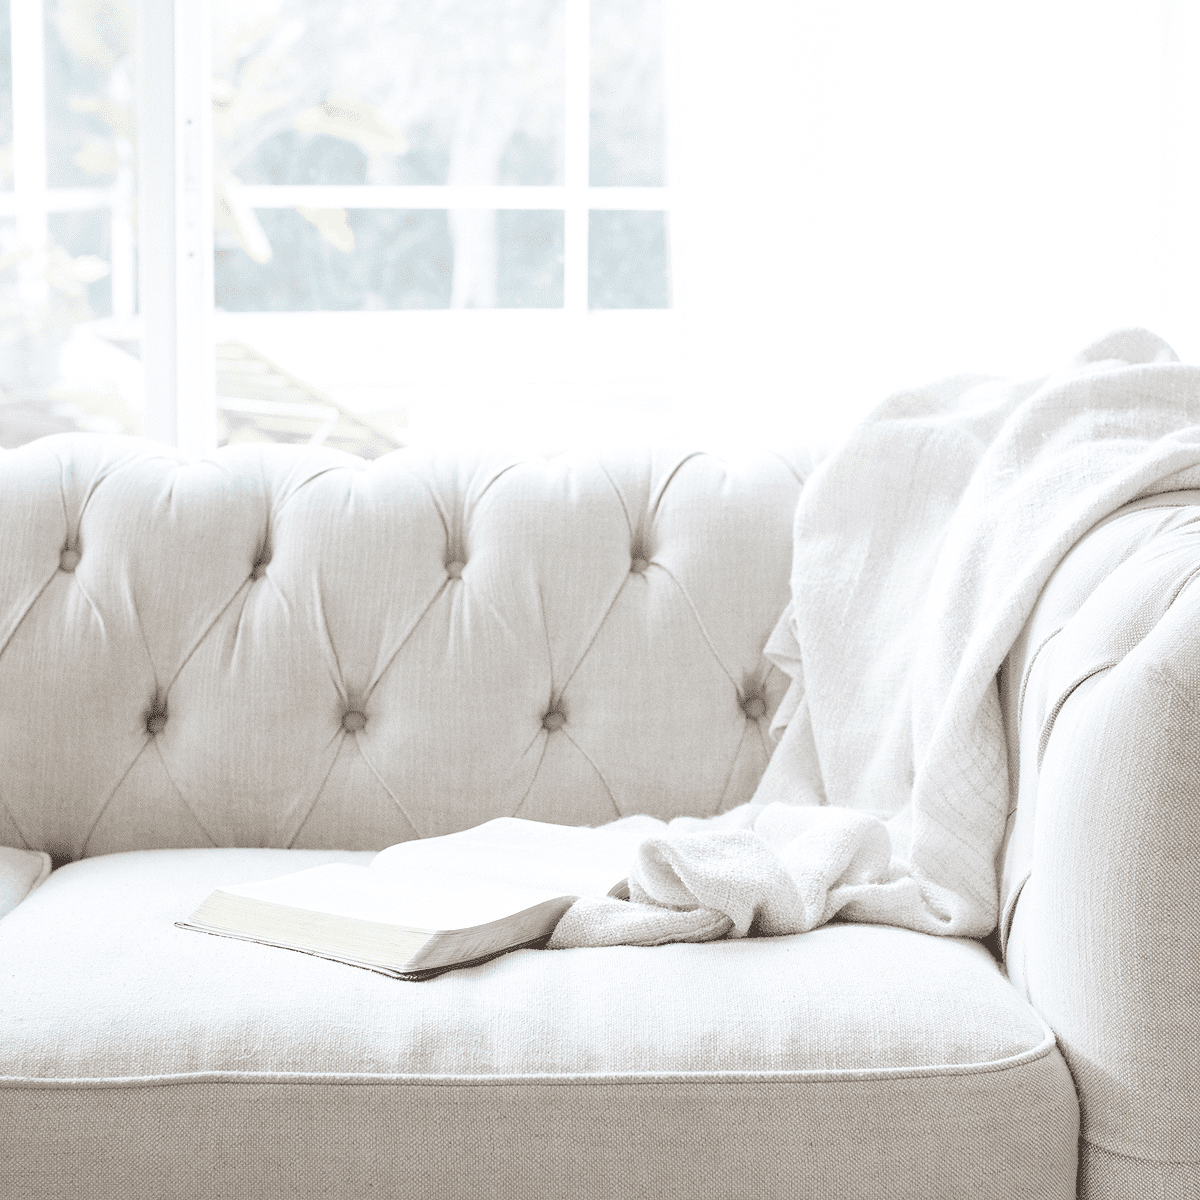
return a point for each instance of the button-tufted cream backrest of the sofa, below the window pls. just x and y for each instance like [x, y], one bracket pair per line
[283, 646]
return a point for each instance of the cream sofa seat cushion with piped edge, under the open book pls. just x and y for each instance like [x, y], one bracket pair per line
[880, 1057]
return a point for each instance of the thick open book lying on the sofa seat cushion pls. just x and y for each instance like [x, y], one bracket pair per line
[434, 904]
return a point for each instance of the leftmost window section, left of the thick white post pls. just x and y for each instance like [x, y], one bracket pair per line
[68, 351]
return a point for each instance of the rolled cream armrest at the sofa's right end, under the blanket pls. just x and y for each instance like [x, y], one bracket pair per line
[1101, 908]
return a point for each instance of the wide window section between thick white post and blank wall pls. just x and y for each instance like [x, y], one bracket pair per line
[397, 166]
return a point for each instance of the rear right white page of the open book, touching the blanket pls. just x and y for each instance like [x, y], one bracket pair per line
[556, 860]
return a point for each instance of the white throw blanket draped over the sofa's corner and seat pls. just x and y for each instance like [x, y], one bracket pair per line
[921, 547]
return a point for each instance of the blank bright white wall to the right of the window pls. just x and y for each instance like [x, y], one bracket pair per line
[879, 194]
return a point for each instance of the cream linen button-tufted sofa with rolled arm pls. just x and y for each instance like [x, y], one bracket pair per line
[224, 670]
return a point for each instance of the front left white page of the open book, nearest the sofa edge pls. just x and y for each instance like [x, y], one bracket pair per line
[417, 901]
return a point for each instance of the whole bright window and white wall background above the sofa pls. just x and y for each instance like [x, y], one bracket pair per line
[547, 223]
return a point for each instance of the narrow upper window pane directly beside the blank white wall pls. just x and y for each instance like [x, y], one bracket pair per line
[627, 148]
